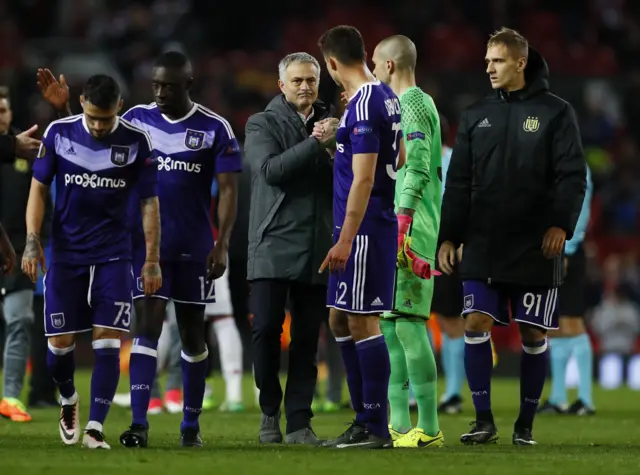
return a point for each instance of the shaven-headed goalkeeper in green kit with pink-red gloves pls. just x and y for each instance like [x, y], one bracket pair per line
[418, 198]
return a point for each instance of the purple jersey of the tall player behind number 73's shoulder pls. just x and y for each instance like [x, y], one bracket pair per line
[190, 152]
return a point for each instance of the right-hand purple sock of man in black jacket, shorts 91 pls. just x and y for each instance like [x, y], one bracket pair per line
[533, 373]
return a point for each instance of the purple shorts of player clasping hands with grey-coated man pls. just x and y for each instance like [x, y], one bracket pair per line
[367, 284]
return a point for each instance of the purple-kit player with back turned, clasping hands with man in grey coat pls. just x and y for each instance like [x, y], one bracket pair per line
[363, 259]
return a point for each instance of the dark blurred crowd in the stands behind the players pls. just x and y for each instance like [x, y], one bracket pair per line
[592, 46]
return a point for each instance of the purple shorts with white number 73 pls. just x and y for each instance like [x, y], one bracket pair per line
[78, 298]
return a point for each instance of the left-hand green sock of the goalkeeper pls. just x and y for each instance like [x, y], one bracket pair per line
[399, 381]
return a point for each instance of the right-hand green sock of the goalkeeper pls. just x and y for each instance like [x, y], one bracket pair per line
[421, 366]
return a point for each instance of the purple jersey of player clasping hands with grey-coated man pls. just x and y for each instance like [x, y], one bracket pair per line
[370, 124]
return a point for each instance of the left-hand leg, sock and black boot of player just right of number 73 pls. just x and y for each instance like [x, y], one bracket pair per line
[150, 314]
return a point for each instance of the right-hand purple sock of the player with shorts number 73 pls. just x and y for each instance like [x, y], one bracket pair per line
[104, 380]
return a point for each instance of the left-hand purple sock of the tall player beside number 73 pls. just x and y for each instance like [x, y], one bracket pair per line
[142, 371]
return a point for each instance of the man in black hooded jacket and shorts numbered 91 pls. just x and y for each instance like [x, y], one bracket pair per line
[513, 195]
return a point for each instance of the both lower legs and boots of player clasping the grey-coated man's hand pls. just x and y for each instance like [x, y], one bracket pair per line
[367, 364]
